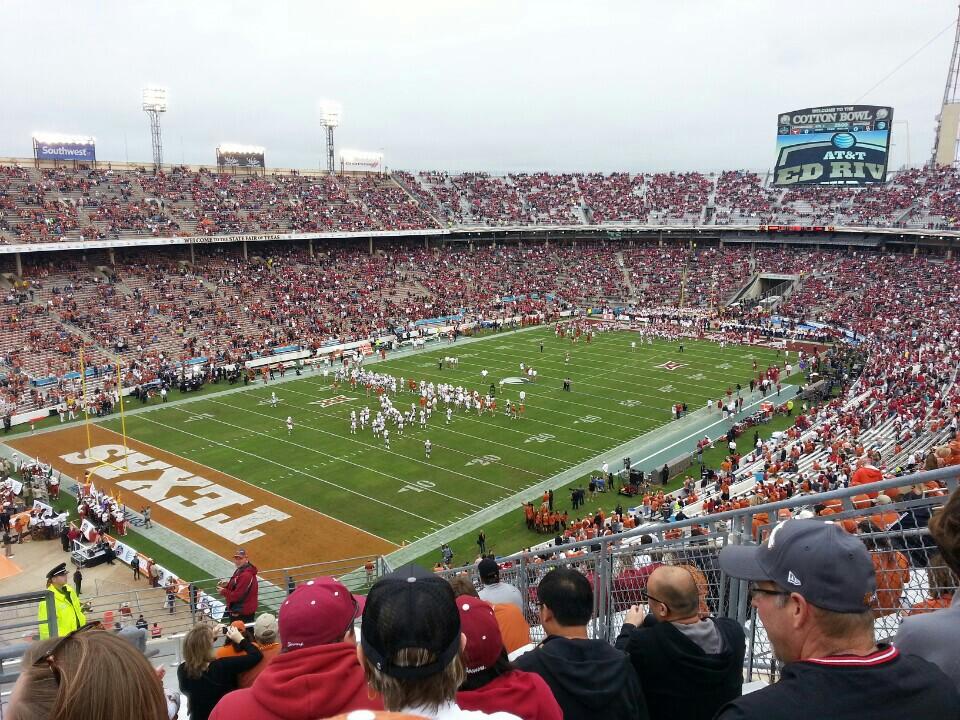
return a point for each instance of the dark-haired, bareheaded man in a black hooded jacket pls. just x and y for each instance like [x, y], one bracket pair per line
[589, 678]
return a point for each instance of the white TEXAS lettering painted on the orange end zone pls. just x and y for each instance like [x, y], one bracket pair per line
[162, 478]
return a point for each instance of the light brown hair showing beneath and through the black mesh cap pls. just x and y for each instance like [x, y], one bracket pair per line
[430, 692]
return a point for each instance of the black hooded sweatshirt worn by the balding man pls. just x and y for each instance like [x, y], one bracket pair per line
[680, 681]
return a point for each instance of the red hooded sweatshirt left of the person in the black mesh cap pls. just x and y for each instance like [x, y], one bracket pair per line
[305, 684]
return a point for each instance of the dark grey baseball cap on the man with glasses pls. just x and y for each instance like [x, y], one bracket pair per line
[819, 560]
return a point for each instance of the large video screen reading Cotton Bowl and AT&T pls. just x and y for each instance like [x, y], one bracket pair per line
[839, 145]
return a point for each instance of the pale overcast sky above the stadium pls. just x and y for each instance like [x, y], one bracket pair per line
[496, 85]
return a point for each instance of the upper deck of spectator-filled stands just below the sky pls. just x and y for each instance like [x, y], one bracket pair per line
[51, 205]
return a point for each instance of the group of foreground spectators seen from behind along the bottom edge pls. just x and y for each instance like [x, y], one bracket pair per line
[460, 646]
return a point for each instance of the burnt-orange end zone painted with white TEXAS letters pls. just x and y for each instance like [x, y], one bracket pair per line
[215, 510]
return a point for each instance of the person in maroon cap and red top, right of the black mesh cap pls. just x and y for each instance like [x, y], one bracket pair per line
[492, 683]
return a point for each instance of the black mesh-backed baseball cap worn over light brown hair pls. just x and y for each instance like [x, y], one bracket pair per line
[410, 608]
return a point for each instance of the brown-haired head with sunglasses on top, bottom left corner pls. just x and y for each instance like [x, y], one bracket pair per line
[86, 674]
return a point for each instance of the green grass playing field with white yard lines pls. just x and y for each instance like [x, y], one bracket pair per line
[618, 394]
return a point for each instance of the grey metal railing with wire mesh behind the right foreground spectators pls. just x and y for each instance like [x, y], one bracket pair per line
[618, 565]
